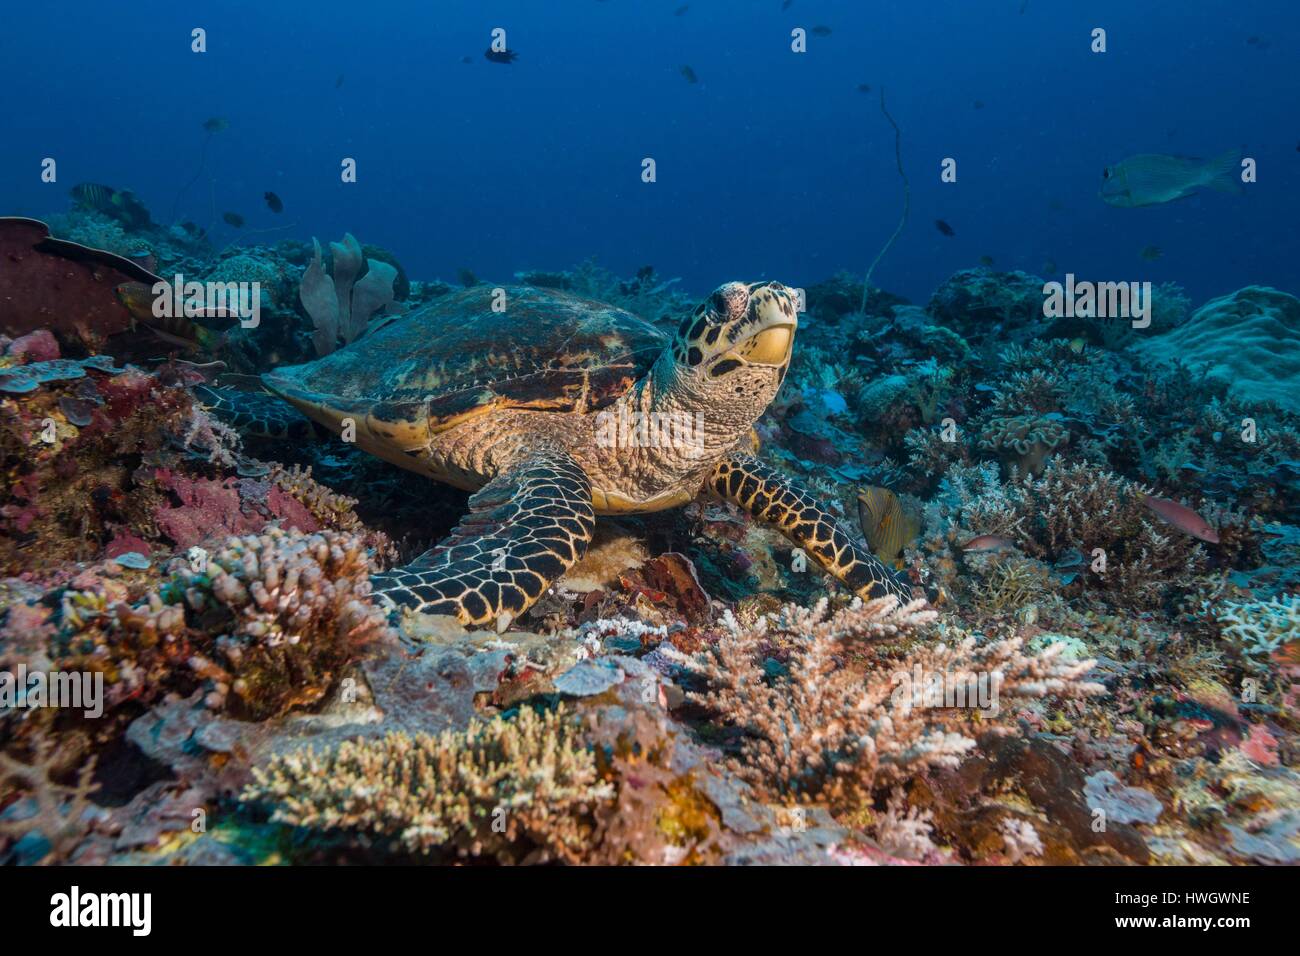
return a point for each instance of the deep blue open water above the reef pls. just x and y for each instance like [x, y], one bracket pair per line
[773, 166]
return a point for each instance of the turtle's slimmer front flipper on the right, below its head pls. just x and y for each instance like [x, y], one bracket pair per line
[772, 498]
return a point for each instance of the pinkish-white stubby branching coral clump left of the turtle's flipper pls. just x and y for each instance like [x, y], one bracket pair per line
[270, 621]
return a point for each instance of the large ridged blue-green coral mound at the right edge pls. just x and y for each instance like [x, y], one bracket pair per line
[1251, 339]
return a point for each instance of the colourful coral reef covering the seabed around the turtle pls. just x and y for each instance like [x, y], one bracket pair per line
[690, 693]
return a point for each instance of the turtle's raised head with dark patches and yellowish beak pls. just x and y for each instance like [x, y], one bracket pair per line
[738, 343]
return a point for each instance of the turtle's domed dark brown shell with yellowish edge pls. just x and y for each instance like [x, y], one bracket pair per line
[456, 358]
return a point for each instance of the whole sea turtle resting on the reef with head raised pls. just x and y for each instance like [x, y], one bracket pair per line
[554, 409]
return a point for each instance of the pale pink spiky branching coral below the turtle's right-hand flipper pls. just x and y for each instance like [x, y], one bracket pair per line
[846, 719]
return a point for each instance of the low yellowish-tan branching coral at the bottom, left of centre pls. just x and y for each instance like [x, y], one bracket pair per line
[508, 789]
